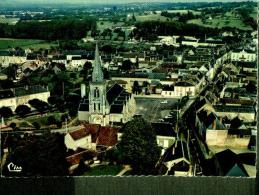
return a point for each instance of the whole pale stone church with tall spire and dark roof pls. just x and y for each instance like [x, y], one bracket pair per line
[105, 104]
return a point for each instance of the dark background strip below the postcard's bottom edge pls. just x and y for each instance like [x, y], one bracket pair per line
[129, 185]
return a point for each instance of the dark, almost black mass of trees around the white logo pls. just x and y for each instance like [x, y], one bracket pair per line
[39, 156]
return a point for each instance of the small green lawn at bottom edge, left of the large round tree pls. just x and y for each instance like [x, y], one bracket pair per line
[104, 170]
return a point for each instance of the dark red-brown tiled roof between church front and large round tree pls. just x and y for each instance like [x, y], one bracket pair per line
[107, 136]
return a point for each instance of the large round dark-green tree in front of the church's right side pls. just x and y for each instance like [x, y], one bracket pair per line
[138, 146]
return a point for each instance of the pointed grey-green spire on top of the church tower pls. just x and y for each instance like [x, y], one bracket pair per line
[97, 75]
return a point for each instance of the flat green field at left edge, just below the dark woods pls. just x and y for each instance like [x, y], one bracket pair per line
[25, 43]
